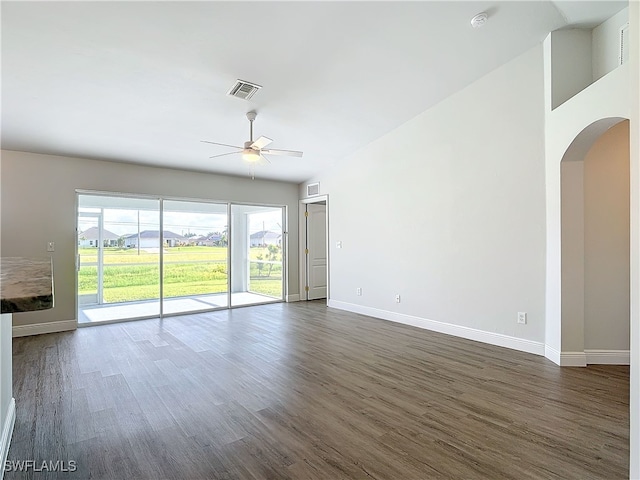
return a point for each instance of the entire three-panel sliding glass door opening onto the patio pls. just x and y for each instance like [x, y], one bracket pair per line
[141, 257]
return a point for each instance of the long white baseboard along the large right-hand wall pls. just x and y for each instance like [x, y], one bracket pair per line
[497, 339]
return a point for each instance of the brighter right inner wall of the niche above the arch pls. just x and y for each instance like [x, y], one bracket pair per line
[606, 44]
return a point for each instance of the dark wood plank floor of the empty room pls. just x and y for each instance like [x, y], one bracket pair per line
[301, 391]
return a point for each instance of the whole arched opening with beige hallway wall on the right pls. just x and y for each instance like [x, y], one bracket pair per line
[595, 248]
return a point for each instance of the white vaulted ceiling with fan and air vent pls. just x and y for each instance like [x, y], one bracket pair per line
[145, 82]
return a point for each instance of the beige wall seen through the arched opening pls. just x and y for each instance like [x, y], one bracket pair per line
[606, 242]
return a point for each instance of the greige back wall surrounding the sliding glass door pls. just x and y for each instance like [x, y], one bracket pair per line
[38, 205]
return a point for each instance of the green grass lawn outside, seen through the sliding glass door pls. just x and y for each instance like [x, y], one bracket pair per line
[128, 276]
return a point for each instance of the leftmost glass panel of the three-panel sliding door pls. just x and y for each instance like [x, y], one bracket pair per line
[118, 258]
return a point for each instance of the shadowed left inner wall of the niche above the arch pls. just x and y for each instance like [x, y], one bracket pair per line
[570, 63]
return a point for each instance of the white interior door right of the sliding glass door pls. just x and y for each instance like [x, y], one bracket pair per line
[316, 251]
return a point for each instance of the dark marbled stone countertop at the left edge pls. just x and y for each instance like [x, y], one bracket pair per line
[26, 284]
